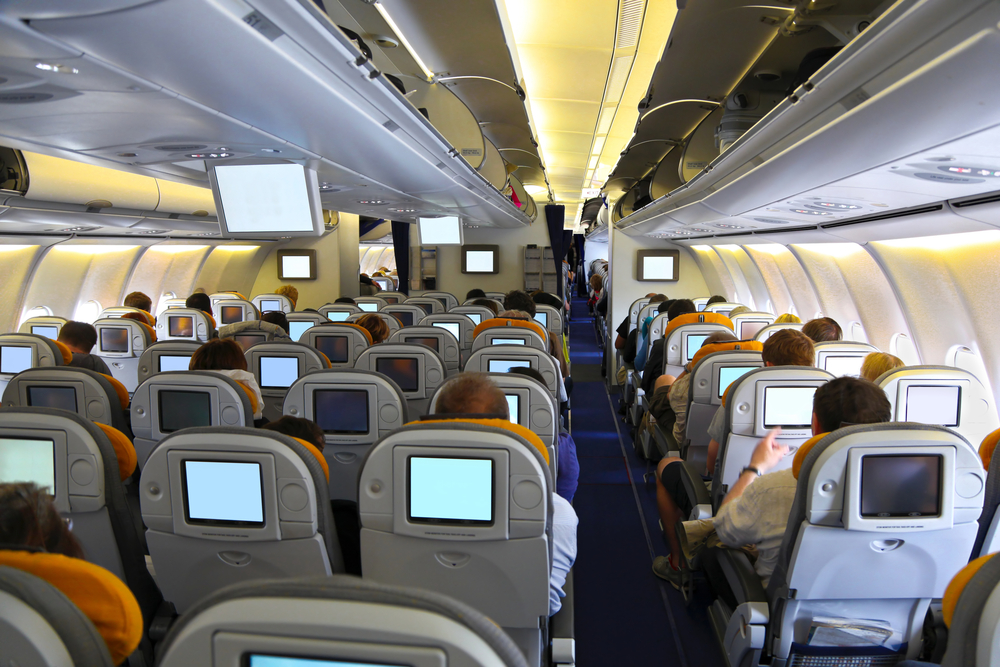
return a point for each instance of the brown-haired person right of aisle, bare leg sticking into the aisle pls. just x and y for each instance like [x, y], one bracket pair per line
[787, 347]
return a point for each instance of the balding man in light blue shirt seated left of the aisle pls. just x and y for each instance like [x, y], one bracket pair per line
[476, 394]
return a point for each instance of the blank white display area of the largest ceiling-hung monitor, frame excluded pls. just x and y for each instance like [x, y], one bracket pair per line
[265, 198]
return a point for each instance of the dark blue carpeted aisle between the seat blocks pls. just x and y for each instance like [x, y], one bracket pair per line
[624, 614]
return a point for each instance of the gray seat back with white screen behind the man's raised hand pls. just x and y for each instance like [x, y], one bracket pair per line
[757, 402]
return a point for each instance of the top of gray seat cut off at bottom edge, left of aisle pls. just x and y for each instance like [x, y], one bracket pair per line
[336, 621]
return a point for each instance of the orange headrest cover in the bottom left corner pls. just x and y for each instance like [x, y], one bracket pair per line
[100, 595]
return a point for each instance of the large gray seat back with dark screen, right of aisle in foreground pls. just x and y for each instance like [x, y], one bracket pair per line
[884, 516]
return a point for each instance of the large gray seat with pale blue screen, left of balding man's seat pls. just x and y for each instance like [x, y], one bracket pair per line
[224, 505]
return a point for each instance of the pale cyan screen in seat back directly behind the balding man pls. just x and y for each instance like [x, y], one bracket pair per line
[455, 489]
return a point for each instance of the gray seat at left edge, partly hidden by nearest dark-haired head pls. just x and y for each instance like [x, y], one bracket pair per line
[84, 464]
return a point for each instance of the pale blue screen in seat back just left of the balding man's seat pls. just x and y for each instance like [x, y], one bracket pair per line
[224, 491]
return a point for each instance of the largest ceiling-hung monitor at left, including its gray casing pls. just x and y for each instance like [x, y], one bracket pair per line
[266, 200]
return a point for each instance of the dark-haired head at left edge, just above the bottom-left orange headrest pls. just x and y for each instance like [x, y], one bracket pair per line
[28, 518]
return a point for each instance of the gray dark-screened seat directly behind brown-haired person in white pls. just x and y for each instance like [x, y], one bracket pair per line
[171, 401]
